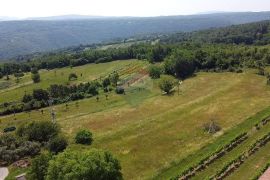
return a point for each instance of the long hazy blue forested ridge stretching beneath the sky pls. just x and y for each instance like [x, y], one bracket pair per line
[29, 36]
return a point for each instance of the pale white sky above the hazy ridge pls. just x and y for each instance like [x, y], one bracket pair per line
[42, 8]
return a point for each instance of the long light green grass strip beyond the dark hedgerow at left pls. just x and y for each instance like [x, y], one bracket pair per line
[12, 91]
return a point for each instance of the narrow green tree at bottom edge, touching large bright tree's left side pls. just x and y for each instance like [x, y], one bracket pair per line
[39, 167]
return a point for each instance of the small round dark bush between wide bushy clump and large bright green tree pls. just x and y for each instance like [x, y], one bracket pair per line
[57, 144]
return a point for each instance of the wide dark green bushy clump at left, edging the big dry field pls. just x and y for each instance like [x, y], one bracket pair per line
[41, 131]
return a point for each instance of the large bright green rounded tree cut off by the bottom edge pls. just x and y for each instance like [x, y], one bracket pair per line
[93, 164]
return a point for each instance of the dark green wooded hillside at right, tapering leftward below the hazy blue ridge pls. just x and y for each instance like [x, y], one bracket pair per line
[257, 33]
